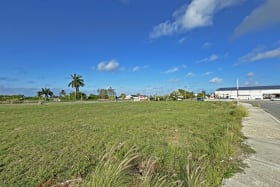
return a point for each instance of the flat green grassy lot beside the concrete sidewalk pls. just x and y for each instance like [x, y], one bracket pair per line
[120, 144]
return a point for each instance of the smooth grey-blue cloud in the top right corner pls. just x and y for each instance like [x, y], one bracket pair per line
[261, 17]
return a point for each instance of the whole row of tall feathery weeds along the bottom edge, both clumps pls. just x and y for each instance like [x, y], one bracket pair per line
[136, 170]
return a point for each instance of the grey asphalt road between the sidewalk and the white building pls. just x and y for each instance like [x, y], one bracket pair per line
[272, 107]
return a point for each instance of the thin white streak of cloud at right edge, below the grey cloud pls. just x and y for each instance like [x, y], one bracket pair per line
[257, 55]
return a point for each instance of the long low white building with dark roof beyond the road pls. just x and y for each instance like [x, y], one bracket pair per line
[248, 93]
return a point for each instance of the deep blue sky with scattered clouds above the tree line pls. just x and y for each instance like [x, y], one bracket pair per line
[138, 46]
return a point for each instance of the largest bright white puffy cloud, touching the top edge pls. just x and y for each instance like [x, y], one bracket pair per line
[199, 13]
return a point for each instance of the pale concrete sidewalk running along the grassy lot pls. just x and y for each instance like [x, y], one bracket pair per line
[263, 135]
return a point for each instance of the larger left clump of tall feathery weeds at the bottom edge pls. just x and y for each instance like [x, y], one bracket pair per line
[112, 171]
